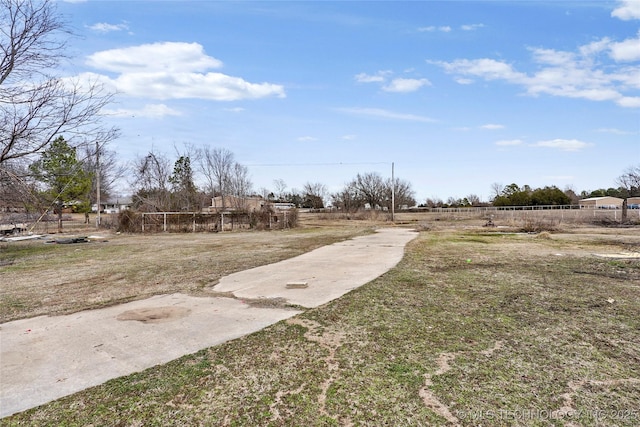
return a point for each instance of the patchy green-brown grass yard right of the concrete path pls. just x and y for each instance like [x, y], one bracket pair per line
[473, 327]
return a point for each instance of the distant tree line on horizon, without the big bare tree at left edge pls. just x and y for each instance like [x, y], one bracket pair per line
[60, 177]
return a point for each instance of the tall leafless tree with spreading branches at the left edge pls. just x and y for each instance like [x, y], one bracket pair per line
[35, 107]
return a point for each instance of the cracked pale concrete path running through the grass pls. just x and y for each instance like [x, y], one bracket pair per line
[45, 358]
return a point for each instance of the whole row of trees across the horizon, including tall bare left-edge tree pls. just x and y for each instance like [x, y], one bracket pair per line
[54, 147]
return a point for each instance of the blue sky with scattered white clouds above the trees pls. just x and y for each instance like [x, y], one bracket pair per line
[457, 95]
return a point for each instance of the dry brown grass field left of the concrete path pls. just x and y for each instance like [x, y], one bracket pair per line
[40, 278]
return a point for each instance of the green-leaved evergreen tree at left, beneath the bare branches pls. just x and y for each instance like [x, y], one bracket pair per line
[66, 182]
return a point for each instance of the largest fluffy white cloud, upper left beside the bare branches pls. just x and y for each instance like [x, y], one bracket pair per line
[174, 71]
